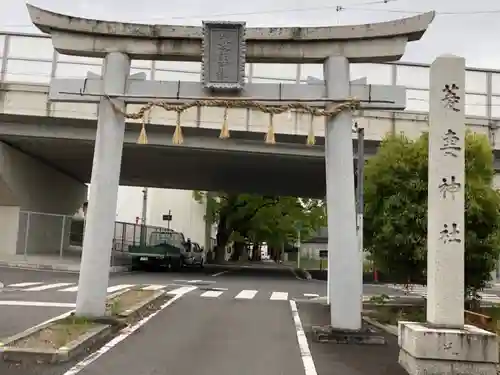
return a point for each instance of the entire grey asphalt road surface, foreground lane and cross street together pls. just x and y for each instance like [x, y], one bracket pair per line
[208, 331]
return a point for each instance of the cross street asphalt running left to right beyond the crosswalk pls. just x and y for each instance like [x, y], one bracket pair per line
[61, 287]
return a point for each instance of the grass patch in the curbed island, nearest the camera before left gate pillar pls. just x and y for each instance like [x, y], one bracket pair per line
[56, 335]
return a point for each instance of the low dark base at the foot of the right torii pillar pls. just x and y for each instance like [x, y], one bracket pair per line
[366, 336]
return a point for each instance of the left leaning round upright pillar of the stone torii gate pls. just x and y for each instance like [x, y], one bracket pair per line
[104, 183]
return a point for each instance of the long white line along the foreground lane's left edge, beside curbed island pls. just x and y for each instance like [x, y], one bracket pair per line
[126, 332]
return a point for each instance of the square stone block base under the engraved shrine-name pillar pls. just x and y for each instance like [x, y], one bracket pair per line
[447, 351]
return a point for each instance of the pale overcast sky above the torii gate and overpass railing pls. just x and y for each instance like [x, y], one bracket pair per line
[474, 36]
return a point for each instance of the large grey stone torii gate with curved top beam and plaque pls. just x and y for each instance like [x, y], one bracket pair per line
[224, 48]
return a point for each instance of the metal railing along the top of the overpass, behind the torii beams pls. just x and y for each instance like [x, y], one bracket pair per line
[30, 58]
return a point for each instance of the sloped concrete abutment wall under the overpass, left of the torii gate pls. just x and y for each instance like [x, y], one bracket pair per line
[33, 199]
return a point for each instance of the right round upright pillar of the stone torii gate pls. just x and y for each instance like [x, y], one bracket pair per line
[345, 263]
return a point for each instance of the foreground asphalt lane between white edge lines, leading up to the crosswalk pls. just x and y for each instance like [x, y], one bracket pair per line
[209, 338]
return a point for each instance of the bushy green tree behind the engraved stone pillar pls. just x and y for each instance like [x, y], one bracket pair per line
[395, 227]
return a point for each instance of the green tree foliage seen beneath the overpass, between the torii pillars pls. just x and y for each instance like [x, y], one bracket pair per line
[251, 218]
